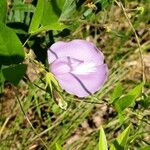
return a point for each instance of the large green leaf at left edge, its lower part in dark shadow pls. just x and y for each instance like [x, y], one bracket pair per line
[11, 50]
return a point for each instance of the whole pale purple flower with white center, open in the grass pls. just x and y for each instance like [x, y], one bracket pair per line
[78, 66]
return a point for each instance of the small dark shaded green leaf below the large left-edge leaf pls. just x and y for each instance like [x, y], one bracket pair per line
[14, 73]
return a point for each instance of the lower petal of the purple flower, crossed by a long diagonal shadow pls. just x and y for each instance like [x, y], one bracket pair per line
[83, 85]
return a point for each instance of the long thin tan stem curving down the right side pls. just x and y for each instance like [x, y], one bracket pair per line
[137, 39]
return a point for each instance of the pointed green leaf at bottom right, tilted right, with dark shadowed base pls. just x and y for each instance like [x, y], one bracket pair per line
[121, 142]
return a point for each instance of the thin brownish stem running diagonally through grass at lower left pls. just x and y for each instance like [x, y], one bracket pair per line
[28, 120]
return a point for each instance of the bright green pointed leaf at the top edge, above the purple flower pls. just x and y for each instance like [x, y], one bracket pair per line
[45, 17]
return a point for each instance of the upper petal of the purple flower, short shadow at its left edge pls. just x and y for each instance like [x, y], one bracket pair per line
[77, 49]
